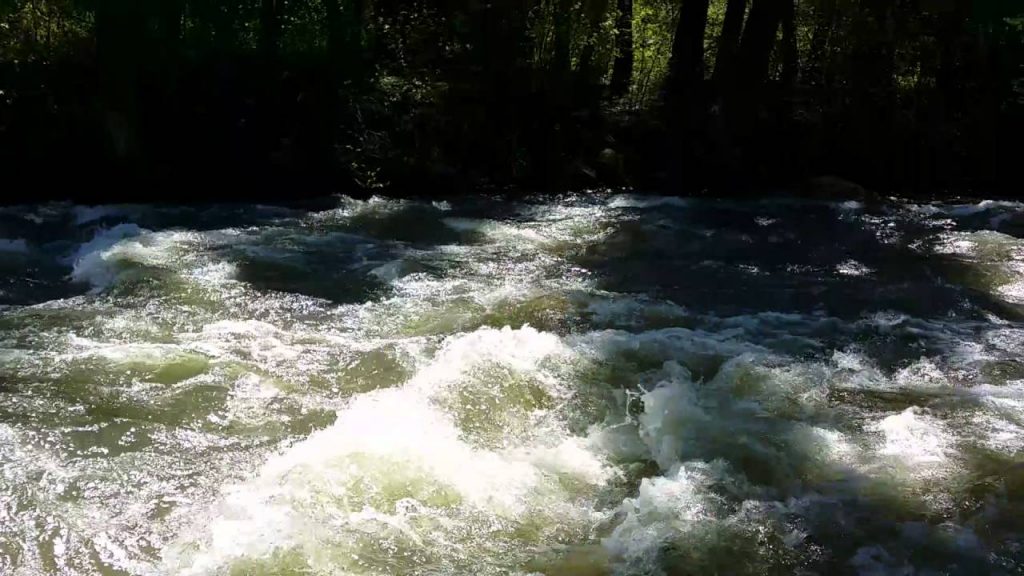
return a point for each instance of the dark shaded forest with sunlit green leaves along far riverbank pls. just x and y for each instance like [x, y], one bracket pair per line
[201, 99]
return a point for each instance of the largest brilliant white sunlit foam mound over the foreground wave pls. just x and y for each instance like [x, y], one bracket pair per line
[403, 468]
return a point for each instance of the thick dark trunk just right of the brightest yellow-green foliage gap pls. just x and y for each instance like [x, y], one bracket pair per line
[687, 67]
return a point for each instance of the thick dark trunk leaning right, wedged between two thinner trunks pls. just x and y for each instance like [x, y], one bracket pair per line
[757, 45]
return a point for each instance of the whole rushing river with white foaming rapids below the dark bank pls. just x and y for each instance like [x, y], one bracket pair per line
[586, 386]
